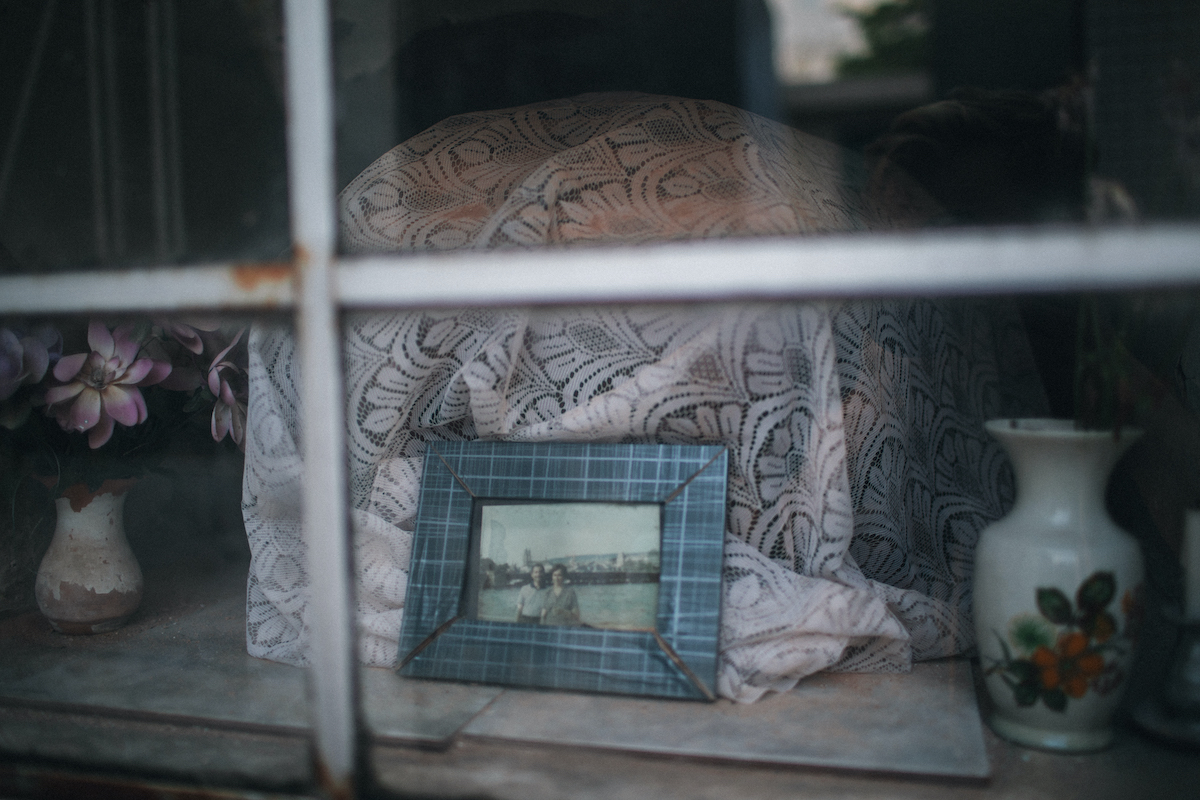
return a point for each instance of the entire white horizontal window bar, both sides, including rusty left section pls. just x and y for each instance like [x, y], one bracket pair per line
[925, 263]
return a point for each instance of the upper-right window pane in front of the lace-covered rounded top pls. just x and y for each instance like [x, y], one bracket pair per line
[926, 113]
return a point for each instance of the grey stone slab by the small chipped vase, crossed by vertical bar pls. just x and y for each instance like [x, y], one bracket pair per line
[184, 658]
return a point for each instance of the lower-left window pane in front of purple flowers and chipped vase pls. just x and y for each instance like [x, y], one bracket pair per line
[124, 590]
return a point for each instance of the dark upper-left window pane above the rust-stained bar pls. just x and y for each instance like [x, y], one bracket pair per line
[142, 134]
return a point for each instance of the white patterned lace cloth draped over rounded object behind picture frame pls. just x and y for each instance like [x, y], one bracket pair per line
[860, 477]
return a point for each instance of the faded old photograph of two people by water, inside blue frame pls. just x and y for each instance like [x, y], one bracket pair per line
[575, 564]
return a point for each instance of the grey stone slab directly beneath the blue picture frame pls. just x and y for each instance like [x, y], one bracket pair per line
[925, 723]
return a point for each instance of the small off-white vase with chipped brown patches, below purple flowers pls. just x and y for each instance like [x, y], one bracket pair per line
[89, 581]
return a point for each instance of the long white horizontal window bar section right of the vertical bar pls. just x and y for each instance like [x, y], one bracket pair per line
[977, 262]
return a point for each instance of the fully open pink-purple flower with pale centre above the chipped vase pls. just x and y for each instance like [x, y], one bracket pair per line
[101, 388]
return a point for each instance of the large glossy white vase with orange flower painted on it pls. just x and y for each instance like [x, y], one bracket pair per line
[1058, 591]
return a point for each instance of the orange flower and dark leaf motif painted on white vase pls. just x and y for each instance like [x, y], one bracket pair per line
[1067, 651]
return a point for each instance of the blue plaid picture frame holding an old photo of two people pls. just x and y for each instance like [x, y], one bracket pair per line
[574, 567]
